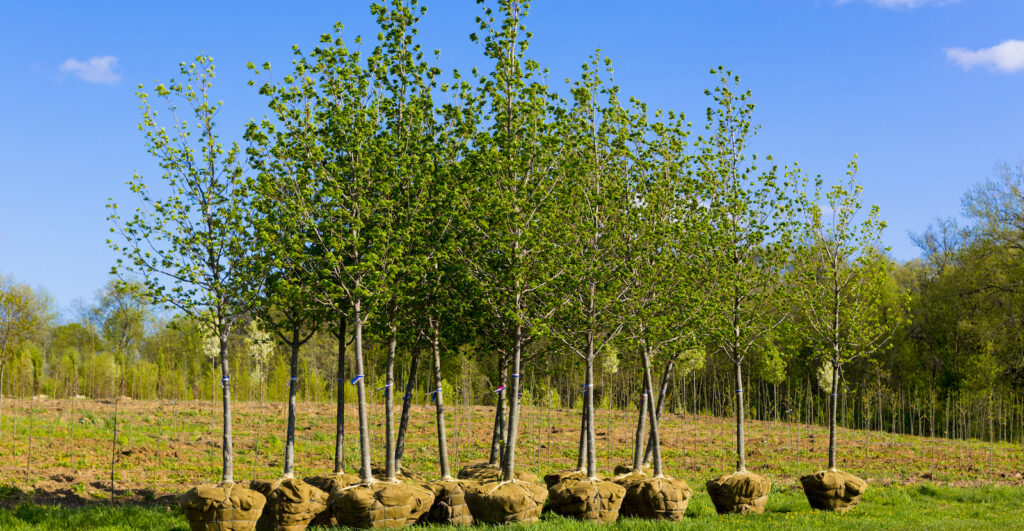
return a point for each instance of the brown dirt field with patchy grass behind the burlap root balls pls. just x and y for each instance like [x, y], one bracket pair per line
[61, 451]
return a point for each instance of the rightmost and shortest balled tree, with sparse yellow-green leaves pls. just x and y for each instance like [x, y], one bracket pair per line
[842, 286]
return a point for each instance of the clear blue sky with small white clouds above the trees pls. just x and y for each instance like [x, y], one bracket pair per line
[927, 93]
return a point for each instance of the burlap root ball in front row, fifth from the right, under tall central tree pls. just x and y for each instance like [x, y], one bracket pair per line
[505, 503]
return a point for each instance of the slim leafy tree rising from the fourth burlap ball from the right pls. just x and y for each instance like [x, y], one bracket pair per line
[594, 193]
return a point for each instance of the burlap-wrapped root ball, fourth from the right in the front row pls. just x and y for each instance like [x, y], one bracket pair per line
[589, 500]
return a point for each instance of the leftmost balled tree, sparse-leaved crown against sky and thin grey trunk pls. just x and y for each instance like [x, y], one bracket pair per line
[190, 237]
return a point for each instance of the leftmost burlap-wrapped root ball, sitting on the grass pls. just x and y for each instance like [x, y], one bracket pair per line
[228, 507]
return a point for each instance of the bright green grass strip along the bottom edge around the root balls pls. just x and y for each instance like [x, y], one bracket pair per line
[920, 507]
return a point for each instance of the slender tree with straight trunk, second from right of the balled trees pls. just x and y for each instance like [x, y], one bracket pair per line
[755, 235]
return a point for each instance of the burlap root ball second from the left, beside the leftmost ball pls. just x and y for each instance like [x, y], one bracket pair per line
[291, 505]
